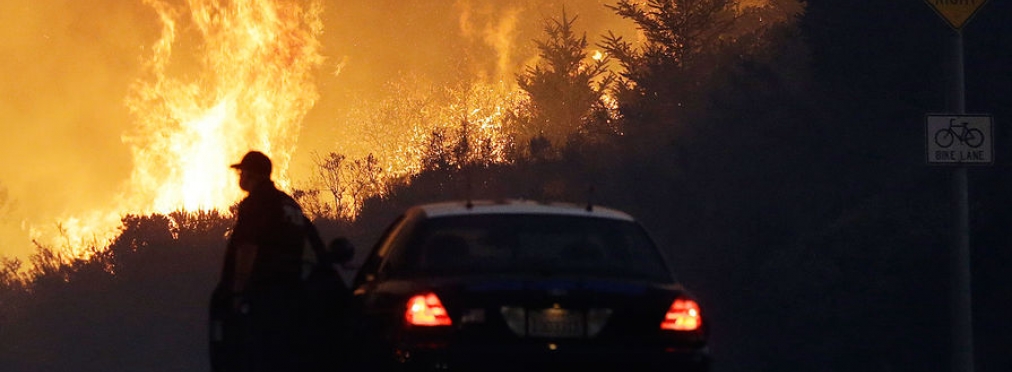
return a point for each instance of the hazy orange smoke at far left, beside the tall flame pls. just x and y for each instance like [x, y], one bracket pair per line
[65, 71]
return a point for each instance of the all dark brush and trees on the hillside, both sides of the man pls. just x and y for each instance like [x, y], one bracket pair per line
[813, 246]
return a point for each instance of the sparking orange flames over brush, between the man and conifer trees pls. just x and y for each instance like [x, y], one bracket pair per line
[400, 135]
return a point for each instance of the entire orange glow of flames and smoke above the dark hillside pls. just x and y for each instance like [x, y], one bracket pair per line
[180, 89]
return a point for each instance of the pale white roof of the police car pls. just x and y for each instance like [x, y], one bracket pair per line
[518, 207]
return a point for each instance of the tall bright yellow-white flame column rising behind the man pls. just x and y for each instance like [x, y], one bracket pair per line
[248, 89]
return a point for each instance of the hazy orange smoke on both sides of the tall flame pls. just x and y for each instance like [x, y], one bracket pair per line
[68, 68]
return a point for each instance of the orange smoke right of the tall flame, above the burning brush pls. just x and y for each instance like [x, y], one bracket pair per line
[443, 44]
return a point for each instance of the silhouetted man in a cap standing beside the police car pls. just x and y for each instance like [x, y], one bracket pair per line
[259, 306]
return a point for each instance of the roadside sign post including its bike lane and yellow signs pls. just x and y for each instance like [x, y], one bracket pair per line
[957, 14]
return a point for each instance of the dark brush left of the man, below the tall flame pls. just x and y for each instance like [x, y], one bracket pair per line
[138, 305]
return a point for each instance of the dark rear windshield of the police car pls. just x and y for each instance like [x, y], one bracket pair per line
[523, 244]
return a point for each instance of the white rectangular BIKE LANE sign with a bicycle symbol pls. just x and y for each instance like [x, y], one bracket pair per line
[960, 140]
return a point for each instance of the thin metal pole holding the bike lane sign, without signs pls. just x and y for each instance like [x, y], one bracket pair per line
[963, 321]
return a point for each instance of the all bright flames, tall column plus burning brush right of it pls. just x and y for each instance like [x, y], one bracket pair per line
[226, 77]
